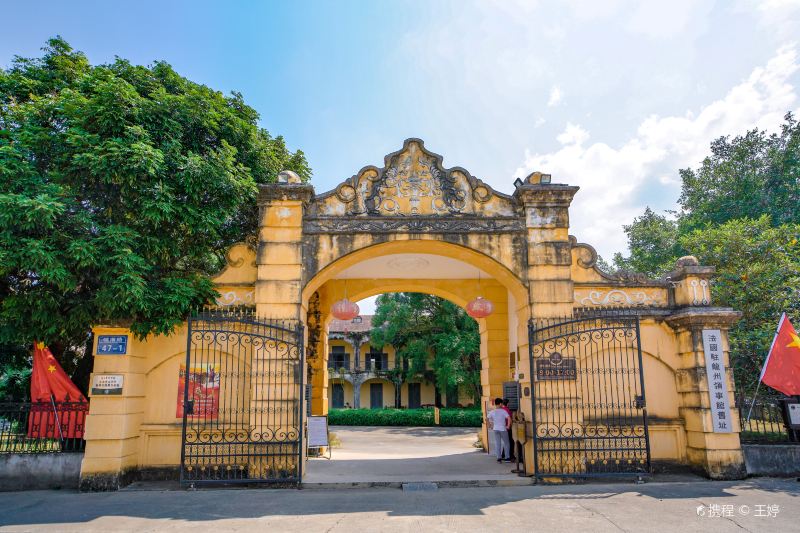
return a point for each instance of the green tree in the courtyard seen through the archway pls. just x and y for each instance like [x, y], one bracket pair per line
[428, 331]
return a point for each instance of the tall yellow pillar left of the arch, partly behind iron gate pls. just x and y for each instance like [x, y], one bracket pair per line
[278, 296]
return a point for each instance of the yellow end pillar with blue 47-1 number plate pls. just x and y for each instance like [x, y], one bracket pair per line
[112, 426]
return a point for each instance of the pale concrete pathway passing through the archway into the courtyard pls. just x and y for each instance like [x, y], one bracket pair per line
[392, 455]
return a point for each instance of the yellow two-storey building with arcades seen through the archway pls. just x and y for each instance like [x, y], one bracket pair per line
[362, 376]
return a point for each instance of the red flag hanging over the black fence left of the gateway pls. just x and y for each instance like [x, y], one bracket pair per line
[50, 386]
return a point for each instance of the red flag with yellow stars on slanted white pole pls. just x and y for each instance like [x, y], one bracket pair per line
[782, 368]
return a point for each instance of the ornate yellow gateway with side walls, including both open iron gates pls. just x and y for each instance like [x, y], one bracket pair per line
[616, 373]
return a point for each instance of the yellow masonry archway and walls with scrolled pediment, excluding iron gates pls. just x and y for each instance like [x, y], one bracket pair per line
[413, 208]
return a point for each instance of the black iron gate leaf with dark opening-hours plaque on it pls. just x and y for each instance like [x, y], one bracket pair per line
[589, 413]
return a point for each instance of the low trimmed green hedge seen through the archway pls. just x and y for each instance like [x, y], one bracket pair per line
[404, 417]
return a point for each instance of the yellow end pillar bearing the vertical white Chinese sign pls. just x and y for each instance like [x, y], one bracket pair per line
[717, 454]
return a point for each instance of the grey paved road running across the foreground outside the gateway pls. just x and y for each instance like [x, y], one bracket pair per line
[591, 507]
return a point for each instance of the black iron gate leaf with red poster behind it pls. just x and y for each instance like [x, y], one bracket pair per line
[242, 399]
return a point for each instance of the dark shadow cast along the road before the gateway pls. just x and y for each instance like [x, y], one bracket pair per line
[51, 507]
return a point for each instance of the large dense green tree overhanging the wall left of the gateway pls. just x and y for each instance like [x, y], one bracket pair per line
[123, 185]
